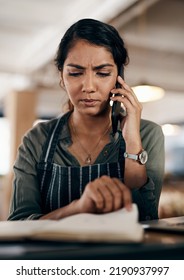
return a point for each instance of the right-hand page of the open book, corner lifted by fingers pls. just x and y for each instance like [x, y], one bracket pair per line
[117, 226]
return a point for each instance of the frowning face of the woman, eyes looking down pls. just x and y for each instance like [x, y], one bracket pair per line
[89, 74]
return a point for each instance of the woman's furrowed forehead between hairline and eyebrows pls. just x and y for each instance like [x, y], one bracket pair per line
[83, 52]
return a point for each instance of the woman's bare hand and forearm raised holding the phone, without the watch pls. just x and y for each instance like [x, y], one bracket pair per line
[135, 173]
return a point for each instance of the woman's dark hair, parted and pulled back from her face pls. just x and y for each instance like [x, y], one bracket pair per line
[97, 33]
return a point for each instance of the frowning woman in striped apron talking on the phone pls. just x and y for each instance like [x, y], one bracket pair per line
[74, 163]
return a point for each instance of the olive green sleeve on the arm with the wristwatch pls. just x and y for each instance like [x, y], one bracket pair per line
[147, 197]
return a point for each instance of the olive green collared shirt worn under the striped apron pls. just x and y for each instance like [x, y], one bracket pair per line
[26, 197]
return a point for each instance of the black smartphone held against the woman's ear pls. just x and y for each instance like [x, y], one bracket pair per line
[116, 108]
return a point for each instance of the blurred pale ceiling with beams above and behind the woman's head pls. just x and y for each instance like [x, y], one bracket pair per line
[30, 31]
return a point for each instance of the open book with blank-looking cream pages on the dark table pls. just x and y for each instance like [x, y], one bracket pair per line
[118, 226]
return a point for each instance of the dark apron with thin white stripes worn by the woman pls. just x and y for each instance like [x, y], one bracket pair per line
[60, 185]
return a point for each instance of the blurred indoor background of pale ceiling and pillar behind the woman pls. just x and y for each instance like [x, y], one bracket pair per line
[30, 31]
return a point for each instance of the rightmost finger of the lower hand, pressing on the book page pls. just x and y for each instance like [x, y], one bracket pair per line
[126, 194]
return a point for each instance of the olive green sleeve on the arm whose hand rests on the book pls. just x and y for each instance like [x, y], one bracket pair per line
[26, 198]
